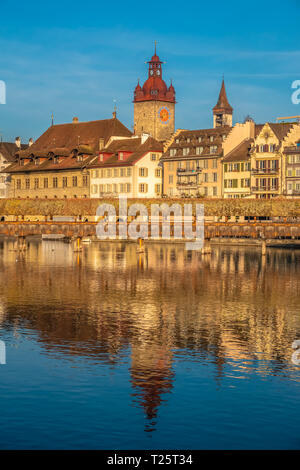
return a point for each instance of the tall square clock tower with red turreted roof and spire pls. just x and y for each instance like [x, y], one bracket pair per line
[154, 104]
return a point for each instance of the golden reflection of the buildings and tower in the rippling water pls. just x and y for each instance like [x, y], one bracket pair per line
[230, 308]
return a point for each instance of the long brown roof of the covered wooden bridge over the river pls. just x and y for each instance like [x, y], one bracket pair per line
[213, 207]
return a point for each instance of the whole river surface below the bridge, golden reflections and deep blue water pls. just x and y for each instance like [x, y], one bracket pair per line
[110, 349]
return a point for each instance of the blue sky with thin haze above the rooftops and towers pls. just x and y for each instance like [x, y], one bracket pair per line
[76, 58]
